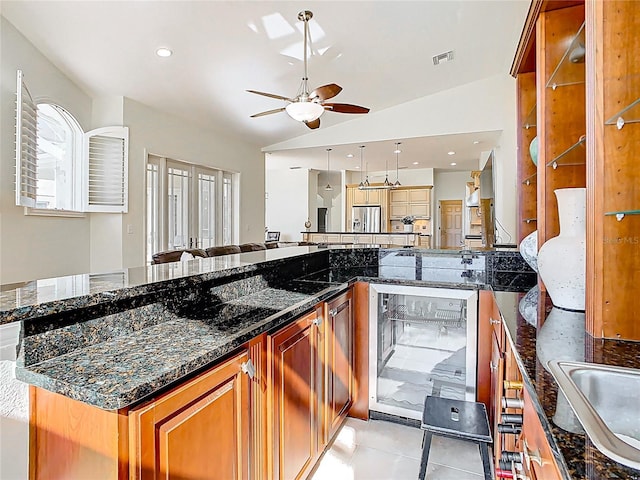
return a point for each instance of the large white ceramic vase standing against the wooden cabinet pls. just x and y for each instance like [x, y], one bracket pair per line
[561, 260]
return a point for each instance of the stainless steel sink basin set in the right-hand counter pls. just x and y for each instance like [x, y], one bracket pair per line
[605, 400]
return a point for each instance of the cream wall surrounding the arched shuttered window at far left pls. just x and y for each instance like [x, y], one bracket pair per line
[56, 246]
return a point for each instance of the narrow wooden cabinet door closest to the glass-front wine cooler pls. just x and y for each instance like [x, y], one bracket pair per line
[338, 363]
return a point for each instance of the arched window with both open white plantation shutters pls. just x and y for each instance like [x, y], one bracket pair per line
[60, 168]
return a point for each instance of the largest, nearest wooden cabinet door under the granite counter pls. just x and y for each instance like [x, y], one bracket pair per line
[198, 430]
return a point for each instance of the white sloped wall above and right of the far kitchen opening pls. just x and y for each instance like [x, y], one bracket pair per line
[484, 105]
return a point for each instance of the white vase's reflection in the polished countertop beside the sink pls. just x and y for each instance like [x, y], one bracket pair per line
[562, 337]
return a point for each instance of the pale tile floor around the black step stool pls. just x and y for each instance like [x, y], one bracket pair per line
[379, 450]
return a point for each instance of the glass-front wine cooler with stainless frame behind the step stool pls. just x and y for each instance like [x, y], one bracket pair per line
[422, 341]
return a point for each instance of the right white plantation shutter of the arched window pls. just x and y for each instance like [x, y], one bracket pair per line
[106, 179]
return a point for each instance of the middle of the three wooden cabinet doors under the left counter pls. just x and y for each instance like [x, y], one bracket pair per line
[295, 397]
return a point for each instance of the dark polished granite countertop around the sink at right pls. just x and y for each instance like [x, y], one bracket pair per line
[577, 457]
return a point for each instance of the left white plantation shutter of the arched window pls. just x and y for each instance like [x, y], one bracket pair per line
[26, 145]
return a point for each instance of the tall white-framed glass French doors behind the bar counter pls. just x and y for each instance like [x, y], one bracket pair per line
[185, 206]
